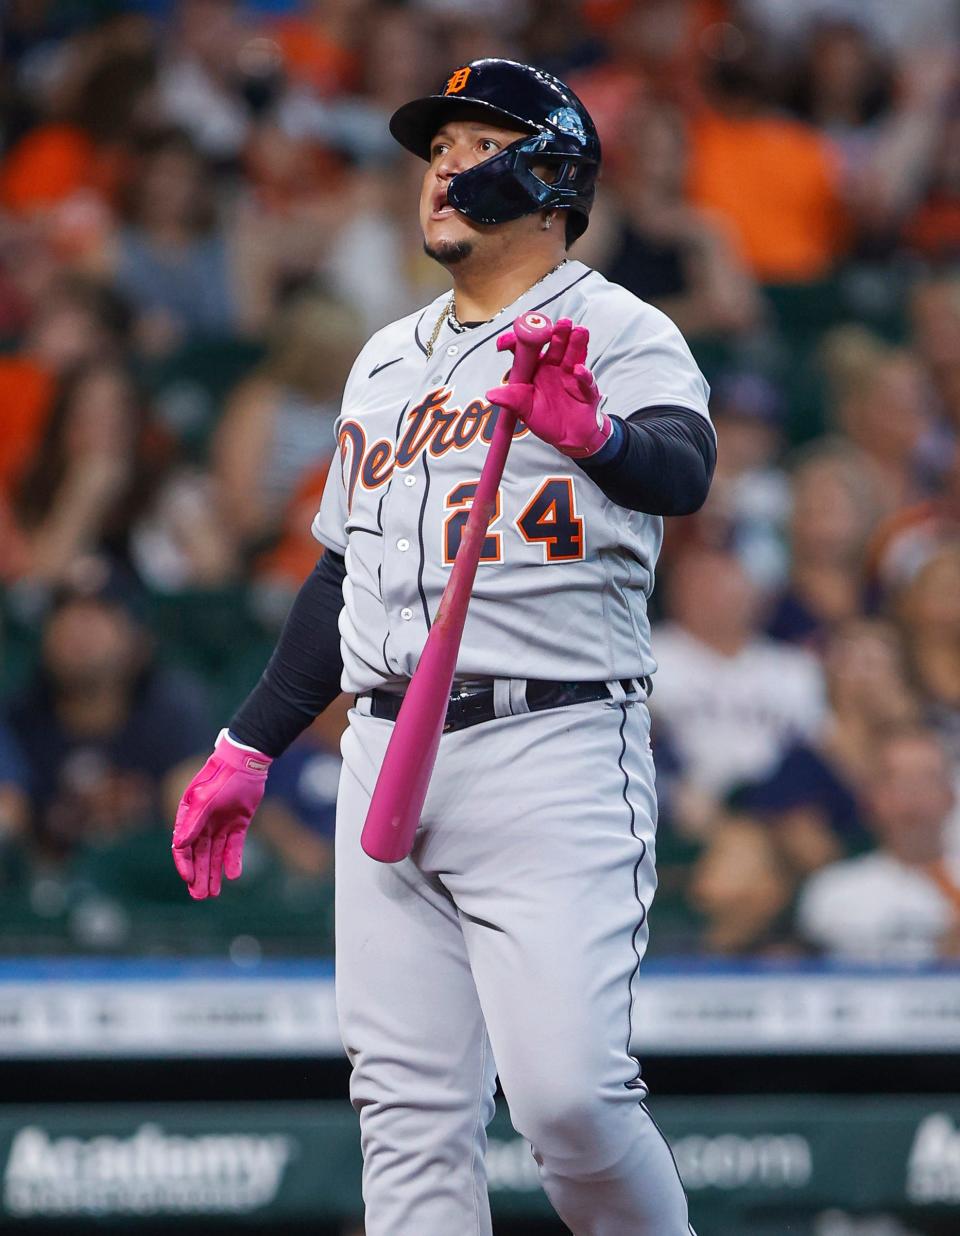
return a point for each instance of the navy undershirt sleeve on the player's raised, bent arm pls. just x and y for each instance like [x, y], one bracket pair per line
[663, 464]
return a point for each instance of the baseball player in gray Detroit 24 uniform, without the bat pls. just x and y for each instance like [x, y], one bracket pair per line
[510, 941]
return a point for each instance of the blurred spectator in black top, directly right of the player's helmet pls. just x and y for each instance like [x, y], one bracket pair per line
[664, 249]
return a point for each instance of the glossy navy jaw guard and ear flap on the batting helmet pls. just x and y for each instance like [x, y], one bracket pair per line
[506, 187]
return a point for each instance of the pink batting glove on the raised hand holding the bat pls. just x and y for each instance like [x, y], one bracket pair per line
[562, 406]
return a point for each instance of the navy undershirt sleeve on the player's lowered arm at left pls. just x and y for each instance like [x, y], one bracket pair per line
[303, 674]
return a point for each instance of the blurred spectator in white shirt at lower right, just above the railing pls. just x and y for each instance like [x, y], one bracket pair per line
[903, 902]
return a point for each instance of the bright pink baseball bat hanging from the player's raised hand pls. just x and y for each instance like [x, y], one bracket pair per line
[405, 778]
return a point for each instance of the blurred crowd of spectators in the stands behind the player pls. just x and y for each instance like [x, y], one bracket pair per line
[202, 219]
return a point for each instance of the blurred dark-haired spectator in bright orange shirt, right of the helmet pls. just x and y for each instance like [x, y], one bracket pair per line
[775, 181]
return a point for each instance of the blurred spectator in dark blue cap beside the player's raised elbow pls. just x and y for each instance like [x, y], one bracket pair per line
[749, 504]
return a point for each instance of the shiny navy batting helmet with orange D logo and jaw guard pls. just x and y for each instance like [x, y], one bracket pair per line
[562, 135]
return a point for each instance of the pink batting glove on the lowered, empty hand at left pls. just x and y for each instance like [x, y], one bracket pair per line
[214, 816]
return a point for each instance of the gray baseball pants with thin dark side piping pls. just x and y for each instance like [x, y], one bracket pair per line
[508, 944]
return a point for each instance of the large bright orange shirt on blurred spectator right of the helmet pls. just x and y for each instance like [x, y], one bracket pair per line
[778, 185]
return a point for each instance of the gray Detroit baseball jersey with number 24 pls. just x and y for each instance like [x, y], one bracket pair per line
[565, 574]
